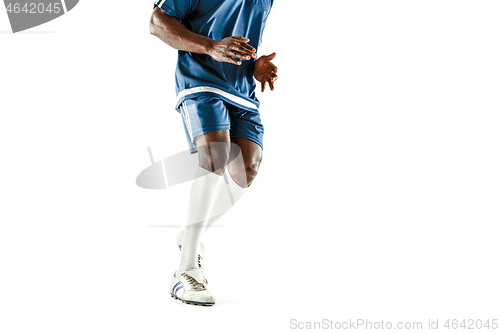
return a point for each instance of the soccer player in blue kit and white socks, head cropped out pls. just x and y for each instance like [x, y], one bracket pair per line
[217, 42]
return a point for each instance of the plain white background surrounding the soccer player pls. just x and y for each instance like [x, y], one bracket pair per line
[378, 196]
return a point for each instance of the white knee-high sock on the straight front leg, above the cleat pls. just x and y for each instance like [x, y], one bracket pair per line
[201, 200]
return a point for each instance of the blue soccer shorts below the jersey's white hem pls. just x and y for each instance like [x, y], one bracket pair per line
[208, 113]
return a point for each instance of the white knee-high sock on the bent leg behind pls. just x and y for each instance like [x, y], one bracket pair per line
[228, 195]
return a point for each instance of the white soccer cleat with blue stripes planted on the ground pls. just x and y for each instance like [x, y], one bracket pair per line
[189, 288]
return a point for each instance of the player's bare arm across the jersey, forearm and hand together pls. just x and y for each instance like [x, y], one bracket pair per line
[171, 31]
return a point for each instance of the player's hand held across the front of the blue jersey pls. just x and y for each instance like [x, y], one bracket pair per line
[232, 47]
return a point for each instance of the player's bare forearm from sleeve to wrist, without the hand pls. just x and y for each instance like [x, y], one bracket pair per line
[175, 34]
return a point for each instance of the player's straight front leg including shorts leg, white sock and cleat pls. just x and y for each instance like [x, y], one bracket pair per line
[207, 124]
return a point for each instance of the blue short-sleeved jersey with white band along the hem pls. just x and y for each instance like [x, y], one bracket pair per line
[198, 74]
